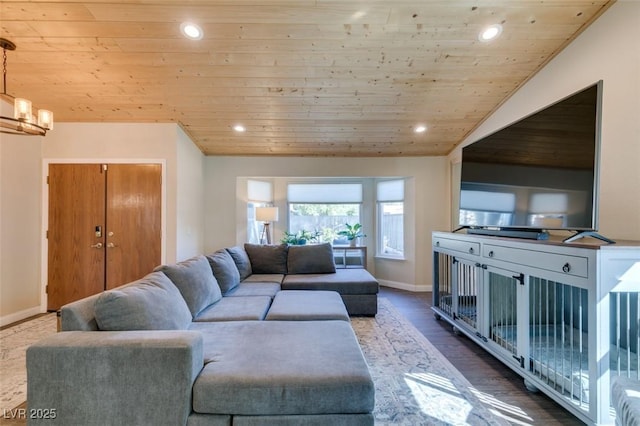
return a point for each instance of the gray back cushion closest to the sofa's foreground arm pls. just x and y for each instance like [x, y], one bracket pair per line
[151, 303]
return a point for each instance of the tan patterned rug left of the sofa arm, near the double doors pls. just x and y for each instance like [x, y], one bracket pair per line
[14, 342]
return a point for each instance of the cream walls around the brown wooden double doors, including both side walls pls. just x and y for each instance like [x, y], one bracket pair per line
[22, 160]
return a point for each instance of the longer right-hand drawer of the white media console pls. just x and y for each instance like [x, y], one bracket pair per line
[571, 265]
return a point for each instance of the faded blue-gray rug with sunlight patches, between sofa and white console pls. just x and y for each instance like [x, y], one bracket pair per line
[415, 384]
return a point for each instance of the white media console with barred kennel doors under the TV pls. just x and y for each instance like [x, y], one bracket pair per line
[559, 314]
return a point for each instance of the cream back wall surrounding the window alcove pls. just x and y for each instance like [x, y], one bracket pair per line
[427, 208]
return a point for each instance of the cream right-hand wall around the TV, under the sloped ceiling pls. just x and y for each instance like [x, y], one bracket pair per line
[608, 50]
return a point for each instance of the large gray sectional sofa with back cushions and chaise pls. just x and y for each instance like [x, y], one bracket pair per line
[213, 340]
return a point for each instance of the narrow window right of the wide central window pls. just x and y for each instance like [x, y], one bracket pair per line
[390, 199]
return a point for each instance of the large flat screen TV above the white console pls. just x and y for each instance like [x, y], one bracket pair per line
[539, 173]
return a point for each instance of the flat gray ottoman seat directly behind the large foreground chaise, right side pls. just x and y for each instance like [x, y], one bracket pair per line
[303, 305]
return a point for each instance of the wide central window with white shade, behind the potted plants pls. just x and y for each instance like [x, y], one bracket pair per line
[323, 209]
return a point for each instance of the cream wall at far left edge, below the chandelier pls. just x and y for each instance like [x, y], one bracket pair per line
[20, 212]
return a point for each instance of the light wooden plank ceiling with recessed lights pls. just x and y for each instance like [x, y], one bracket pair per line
[305, 77]
